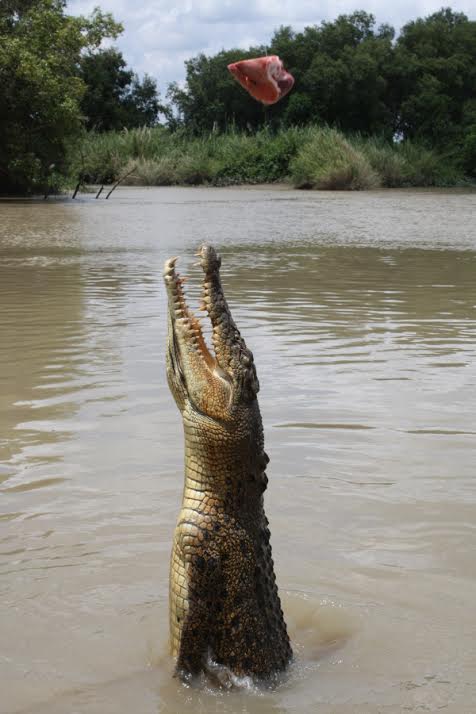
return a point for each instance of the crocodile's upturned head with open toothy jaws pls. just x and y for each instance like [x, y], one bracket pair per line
[215, 384]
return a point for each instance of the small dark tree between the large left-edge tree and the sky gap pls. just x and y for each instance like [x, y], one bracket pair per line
[115, 97]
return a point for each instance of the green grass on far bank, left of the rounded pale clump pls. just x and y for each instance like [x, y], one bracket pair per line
[162, 157]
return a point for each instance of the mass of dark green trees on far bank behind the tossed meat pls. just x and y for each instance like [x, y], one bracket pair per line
[354, 76]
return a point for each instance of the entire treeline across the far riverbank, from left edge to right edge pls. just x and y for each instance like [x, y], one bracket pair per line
[417, 89]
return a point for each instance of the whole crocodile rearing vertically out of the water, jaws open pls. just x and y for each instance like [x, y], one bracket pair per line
[225, 609]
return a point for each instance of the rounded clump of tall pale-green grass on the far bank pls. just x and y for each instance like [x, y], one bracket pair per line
[329, 161]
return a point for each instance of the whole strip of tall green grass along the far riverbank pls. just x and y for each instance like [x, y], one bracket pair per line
[310, 157]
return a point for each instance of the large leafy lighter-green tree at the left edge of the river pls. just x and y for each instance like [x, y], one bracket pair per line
[40, 90]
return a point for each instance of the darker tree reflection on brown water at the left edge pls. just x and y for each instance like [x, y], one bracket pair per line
[38, 357]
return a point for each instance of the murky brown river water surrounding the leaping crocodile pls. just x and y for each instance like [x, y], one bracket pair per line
[361, 312]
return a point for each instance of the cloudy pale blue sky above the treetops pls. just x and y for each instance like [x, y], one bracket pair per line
[159, 35]
